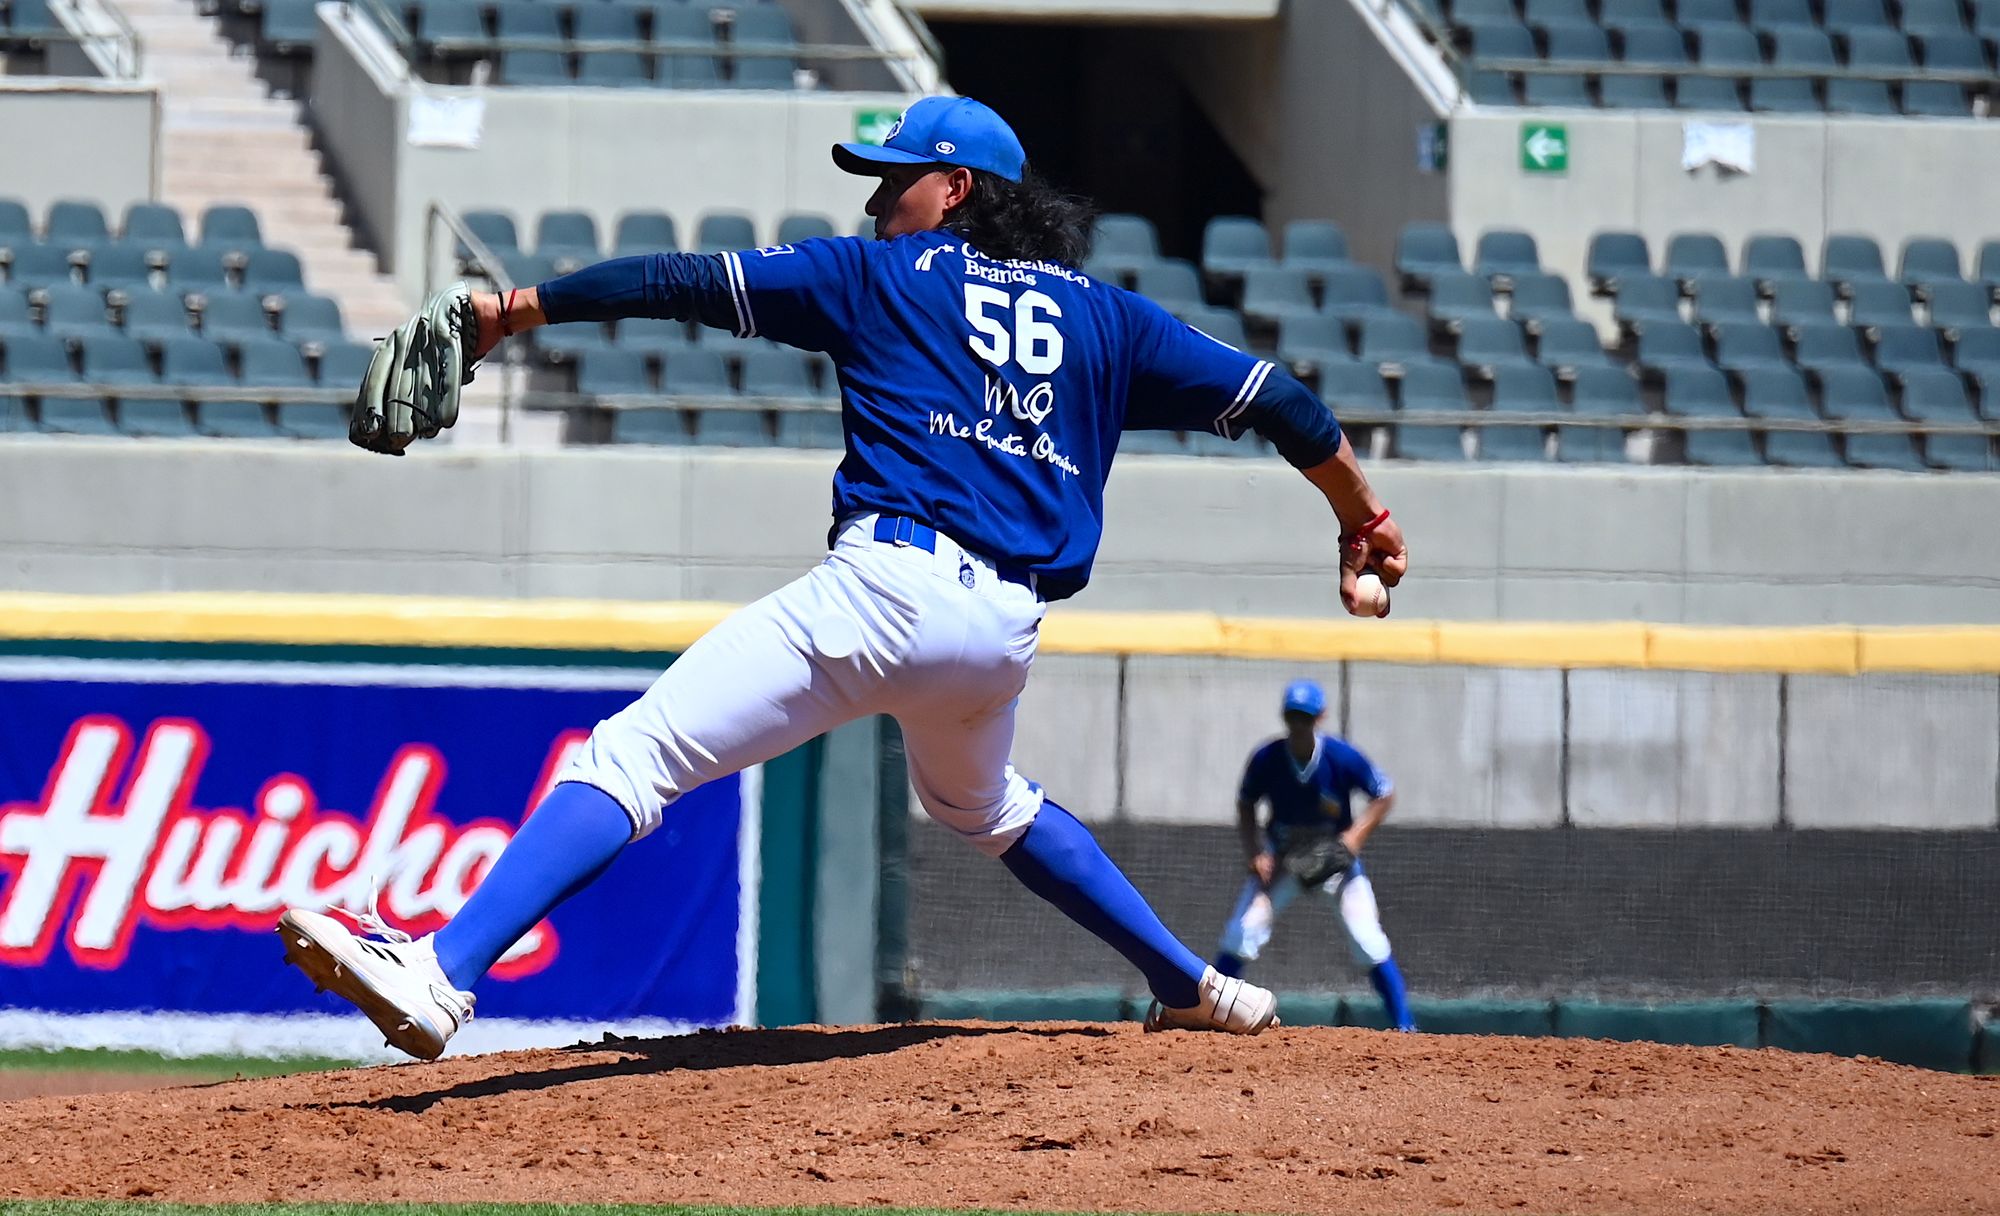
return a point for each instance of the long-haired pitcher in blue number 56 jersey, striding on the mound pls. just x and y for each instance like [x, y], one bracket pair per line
[983, 389]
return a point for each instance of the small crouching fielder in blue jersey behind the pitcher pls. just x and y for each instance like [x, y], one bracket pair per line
[1309, 779]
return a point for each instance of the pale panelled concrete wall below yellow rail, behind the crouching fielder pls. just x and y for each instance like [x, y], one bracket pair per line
[1165, 743]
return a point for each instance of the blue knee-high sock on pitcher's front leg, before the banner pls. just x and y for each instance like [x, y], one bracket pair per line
[565, 845]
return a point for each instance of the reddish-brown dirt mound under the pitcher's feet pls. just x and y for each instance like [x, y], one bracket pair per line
[1055, 1117]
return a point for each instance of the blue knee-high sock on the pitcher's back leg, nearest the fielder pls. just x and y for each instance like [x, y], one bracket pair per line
[1061, 861]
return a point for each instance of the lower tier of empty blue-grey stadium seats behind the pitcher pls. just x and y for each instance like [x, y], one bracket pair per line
[1855, 337]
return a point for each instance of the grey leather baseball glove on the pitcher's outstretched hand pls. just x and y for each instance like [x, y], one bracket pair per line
[411, 391]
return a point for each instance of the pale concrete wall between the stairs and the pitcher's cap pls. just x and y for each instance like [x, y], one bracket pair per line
[599, 151]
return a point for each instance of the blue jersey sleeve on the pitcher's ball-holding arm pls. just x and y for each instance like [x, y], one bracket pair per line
[1183, 379]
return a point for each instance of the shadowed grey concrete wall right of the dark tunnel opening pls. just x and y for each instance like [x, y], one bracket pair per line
[1323, 115]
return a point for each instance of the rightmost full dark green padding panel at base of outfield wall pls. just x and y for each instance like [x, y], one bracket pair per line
[1925, 1033]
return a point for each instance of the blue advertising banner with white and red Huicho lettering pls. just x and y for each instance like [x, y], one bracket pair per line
[157, 819]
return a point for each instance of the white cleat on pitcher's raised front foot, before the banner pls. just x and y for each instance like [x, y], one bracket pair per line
[397, 983]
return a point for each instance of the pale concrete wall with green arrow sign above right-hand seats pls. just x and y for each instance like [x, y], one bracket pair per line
[1815, 175]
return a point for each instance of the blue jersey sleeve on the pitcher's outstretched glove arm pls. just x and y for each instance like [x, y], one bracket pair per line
[803, 295]
